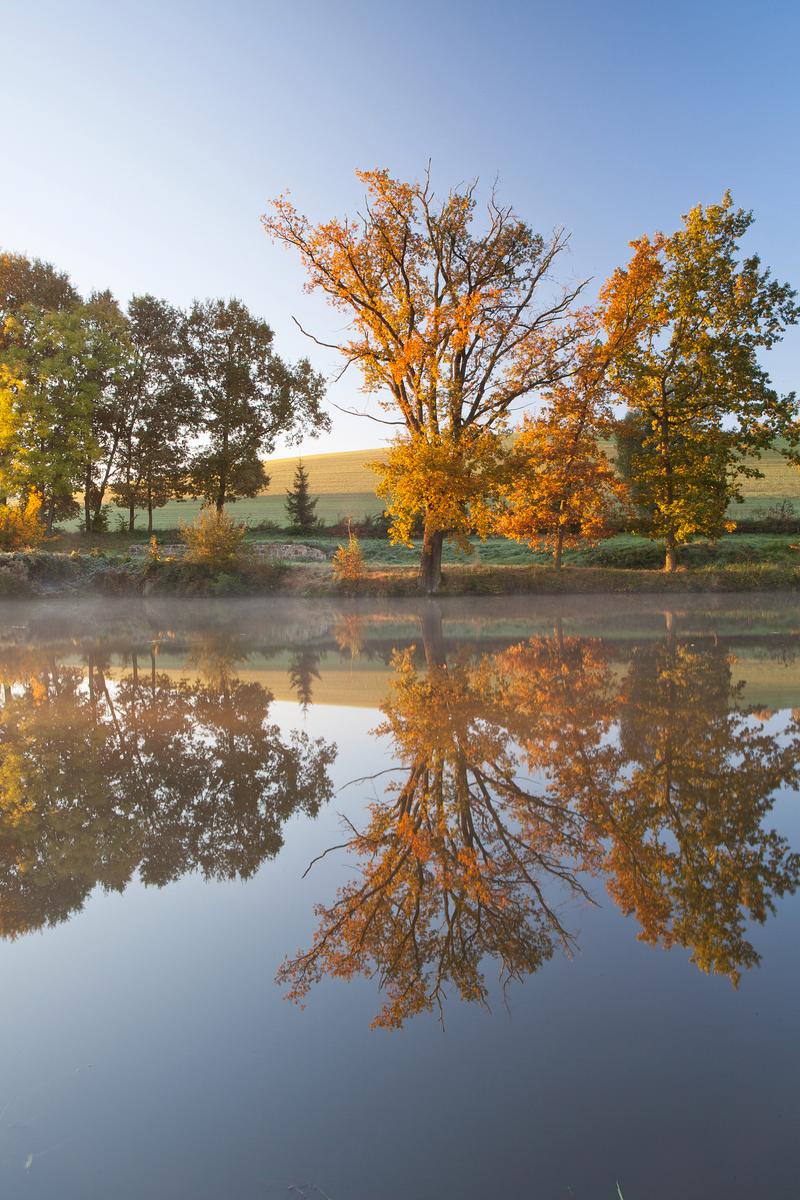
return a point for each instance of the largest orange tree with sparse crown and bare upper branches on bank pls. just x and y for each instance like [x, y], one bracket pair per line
[453, 322]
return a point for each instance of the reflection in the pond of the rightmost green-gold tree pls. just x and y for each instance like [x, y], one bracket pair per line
[687, 848]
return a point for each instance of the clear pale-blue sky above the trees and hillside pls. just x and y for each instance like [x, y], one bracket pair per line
[142, 142]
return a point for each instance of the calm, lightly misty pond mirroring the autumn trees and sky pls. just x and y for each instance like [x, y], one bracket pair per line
[549, 940]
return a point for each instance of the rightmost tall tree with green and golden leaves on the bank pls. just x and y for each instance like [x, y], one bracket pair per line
[700, 403]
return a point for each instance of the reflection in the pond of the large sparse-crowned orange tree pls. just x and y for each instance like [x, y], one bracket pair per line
[447, 879]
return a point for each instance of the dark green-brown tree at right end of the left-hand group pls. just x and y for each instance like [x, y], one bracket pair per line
[246, 397]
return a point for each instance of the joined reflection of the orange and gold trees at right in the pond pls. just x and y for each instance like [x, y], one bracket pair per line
[526, 772]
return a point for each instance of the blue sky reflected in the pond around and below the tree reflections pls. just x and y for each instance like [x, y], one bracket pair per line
[148, 1052]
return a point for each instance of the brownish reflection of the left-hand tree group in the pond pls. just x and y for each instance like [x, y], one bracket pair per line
[157, 775]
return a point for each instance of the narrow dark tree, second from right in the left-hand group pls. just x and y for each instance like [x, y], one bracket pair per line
[158, 411]
